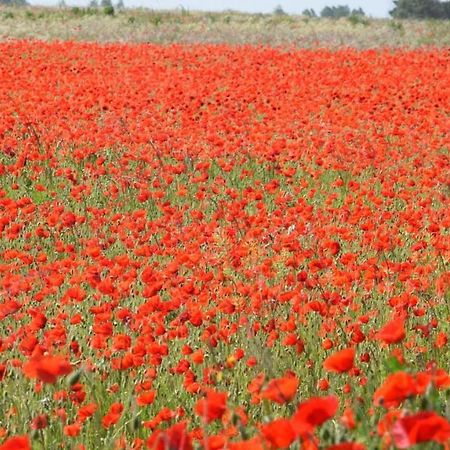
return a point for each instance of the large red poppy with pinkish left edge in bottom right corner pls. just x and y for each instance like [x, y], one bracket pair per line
[424, 426]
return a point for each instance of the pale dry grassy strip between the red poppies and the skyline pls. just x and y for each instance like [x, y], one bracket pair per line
[230, 27]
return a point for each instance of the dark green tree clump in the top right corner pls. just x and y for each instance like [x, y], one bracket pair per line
[420, 9]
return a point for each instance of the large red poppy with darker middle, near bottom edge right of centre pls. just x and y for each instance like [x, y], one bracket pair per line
[313, 413]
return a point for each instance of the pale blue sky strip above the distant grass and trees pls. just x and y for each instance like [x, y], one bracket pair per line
[374, 8]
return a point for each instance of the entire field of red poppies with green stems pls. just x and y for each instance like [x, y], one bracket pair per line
[223, 247]
